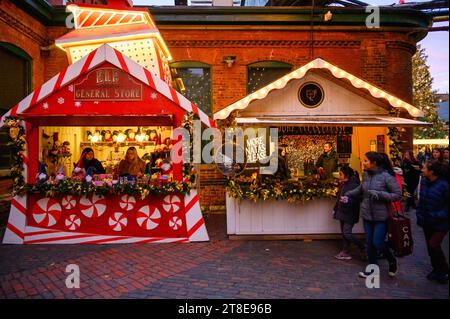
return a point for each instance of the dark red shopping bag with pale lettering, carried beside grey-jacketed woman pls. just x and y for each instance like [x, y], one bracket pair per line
[399, 231]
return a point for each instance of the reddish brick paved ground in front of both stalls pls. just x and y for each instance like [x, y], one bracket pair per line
[218, 269]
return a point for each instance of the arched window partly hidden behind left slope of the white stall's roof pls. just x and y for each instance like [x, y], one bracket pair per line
[260, 74]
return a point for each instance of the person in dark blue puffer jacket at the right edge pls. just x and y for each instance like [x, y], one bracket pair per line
[432, 215]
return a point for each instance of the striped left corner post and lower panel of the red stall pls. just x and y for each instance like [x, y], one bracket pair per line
[17, 221]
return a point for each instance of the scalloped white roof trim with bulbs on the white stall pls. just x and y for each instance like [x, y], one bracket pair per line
[301, 72]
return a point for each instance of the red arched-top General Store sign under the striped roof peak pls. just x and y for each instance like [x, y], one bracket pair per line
[108, 84]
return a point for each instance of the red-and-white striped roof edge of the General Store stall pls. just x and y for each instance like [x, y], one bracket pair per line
[90, 61]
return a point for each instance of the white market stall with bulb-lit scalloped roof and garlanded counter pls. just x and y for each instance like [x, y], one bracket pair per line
[316, 103]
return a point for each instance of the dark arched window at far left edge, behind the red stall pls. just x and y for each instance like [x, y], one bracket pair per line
[15, 84]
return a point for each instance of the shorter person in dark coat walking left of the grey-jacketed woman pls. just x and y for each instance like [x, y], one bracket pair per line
[348, 213]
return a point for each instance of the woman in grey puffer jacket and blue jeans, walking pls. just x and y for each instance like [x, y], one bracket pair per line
[378, 189]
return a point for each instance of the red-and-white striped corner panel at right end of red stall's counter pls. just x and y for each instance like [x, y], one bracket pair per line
[194, 219]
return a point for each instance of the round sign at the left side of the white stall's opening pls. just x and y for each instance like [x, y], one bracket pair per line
[230, 159]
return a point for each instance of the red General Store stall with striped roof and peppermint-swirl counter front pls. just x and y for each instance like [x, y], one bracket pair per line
[118, 77]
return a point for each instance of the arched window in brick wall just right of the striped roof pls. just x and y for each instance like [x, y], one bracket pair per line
[196, 83]
